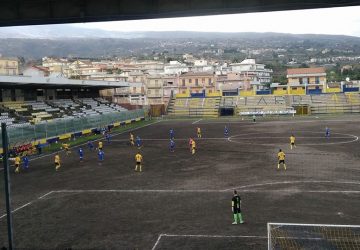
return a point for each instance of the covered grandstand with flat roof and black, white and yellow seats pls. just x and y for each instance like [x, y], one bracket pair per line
[44, 110]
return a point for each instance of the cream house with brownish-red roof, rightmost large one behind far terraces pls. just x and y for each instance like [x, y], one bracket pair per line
[306, 80]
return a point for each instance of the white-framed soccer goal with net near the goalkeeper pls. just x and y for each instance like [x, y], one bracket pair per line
[313, 236]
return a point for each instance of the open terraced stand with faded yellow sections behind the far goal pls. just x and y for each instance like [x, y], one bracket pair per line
[269, 104]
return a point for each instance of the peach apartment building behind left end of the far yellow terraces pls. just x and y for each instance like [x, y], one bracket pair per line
[197, 82]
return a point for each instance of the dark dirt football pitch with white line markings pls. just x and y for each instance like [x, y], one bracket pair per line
[183, 201]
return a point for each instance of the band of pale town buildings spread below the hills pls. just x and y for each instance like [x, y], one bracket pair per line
[153, 82]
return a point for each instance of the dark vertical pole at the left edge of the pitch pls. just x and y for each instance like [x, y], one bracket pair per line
[5, 145]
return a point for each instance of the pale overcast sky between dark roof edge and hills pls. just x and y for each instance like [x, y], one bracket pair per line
[341, 21]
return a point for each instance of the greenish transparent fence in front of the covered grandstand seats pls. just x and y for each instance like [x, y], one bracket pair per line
[27, 133]
